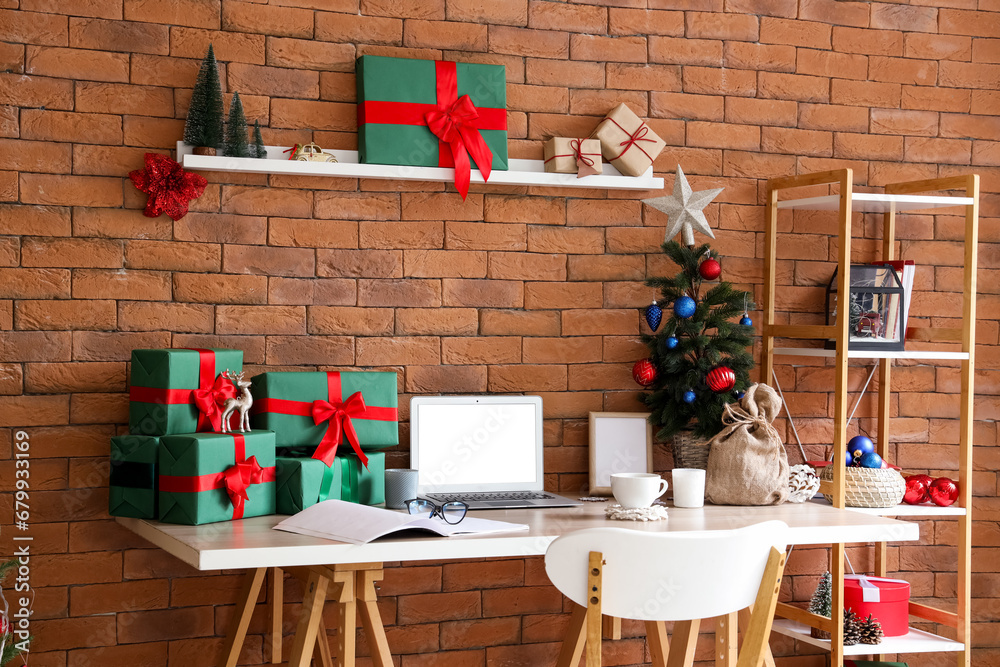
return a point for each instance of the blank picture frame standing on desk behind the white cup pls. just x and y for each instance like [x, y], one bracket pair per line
[619, 442]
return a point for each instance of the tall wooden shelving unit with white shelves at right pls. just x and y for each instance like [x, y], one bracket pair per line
[957, 344]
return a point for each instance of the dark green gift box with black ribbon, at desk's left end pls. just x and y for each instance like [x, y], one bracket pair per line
[132, 482]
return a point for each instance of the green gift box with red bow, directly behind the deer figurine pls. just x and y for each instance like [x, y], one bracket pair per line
[165, 385]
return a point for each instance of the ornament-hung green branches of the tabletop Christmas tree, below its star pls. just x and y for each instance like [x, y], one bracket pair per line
[699, 356]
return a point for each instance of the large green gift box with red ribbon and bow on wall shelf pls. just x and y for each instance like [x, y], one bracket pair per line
[432, 114]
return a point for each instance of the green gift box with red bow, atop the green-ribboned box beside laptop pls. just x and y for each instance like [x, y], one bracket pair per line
[332, 411]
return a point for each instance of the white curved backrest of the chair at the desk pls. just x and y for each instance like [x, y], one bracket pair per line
[663, 576]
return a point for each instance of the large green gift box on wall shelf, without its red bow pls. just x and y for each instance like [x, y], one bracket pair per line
[395, 93]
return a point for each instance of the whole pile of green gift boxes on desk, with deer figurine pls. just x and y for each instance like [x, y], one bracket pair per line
[312, 437]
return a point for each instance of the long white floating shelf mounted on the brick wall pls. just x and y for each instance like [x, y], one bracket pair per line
[521, 172]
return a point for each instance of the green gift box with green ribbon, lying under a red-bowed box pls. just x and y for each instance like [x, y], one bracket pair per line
[303, 482]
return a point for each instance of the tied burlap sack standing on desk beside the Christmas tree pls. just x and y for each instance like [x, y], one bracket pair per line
[747, 464]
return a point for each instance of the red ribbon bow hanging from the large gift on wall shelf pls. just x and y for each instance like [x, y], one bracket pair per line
[456, 126]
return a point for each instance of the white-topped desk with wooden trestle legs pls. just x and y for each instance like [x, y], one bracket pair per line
[252, 544]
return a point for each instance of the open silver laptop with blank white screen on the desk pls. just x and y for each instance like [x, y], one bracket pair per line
[483, 450]
